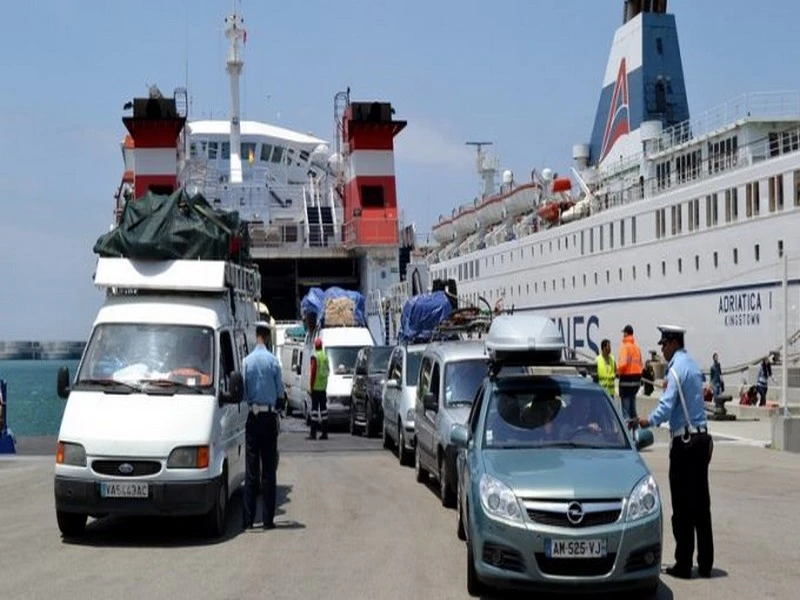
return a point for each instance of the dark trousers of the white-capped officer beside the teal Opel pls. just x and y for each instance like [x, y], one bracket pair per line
[691, 501]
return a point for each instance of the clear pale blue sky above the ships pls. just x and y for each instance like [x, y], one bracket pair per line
[524, 74]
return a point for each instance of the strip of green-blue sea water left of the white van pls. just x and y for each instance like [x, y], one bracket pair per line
[33, 405]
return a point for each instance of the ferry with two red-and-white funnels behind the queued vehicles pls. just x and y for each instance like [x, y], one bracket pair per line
[317, 216]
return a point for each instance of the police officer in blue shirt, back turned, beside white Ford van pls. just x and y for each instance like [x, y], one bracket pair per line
[263, 392]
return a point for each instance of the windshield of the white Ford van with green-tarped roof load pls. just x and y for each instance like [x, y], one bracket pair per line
[149, 355]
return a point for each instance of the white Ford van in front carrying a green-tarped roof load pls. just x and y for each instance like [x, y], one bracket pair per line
[154, 422]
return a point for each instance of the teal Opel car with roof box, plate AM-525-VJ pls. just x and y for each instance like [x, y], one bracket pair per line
[552, 492]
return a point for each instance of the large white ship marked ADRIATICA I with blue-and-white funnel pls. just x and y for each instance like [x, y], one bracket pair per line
[665, 218]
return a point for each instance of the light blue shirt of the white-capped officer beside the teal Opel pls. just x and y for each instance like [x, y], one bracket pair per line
[669, 405]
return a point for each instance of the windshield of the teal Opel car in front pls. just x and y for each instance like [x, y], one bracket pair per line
[550, 412]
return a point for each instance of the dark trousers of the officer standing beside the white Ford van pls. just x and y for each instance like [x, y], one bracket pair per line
[261, 455]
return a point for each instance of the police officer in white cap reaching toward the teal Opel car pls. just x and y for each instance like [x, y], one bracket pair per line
[690, 454]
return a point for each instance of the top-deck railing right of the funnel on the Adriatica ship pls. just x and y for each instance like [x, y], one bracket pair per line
[761, 105]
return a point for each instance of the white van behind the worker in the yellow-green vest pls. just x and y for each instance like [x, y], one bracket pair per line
[341, 345]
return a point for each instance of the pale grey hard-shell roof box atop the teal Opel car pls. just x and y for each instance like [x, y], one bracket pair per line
[524, 340]
